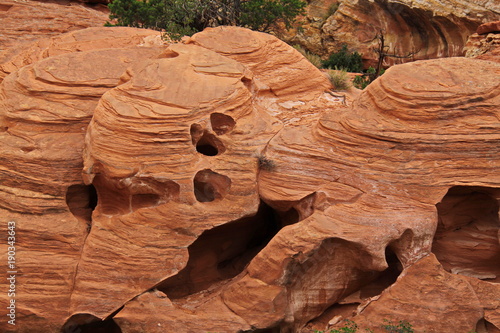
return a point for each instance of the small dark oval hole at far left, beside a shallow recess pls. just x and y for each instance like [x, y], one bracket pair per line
[81, 200]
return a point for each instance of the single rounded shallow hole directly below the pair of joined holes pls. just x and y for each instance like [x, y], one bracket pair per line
[210, 185]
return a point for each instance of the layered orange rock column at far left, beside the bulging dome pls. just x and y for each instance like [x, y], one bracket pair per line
[45, 108]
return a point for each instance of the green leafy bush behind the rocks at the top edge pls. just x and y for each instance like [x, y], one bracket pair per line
[185, 17]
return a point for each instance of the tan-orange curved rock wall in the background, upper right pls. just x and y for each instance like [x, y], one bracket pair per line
[428, 29]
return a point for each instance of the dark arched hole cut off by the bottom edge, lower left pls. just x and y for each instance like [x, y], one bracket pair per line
[87, 323]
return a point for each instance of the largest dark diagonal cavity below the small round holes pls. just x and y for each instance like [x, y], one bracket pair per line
[223, 252]
